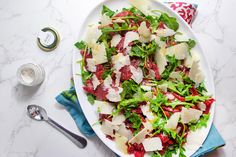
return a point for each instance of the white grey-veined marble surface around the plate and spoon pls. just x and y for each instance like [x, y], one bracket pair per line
[19, 23]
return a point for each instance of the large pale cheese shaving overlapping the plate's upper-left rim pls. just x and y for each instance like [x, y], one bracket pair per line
[92, 34]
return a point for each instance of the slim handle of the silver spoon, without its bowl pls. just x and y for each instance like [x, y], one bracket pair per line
[76, 139]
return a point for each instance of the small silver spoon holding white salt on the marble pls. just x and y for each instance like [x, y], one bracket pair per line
[38, 113]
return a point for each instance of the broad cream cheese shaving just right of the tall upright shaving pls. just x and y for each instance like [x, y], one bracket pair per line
[180, 51]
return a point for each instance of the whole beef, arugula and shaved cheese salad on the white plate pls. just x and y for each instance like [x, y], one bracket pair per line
[144, 77]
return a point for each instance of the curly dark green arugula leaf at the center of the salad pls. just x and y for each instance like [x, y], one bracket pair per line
[129, 89]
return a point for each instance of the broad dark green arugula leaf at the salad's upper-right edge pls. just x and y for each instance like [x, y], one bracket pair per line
[169, 21]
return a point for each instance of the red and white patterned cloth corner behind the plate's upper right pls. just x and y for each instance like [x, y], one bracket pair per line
[186, 10]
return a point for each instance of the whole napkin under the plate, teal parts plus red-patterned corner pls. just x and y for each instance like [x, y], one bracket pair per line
[69, 99]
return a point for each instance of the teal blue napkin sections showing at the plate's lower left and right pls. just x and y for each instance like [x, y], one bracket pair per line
[69, 100]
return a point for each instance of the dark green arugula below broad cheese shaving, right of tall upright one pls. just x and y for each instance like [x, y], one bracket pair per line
[172, 64]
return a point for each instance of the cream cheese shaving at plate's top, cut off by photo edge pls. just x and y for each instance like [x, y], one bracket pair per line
[142, 5]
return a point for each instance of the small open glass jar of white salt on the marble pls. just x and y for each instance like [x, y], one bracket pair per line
[30, 74]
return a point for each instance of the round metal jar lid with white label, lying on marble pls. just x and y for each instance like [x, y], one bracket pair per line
[48, 39]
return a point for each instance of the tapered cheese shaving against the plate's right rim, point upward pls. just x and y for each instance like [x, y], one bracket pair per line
[195, 73]
